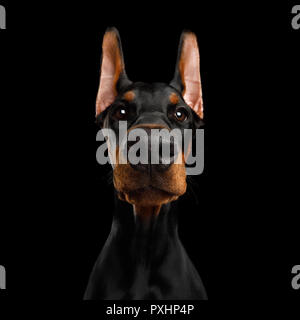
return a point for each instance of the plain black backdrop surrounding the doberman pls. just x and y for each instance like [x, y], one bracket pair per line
[57, 203]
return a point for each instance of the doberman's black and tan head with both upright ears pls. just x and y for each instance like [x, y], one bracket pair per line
[177, 105]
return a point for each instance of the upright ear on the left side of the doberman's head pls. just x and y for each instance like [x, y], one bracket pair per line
[113, 76]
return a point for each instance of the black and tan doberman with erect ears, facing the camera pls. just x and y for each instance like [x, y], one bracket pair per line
[143, 258]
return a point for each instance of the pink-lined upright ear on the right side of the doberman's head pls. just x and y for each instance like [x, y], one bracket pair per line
[187, 73]
